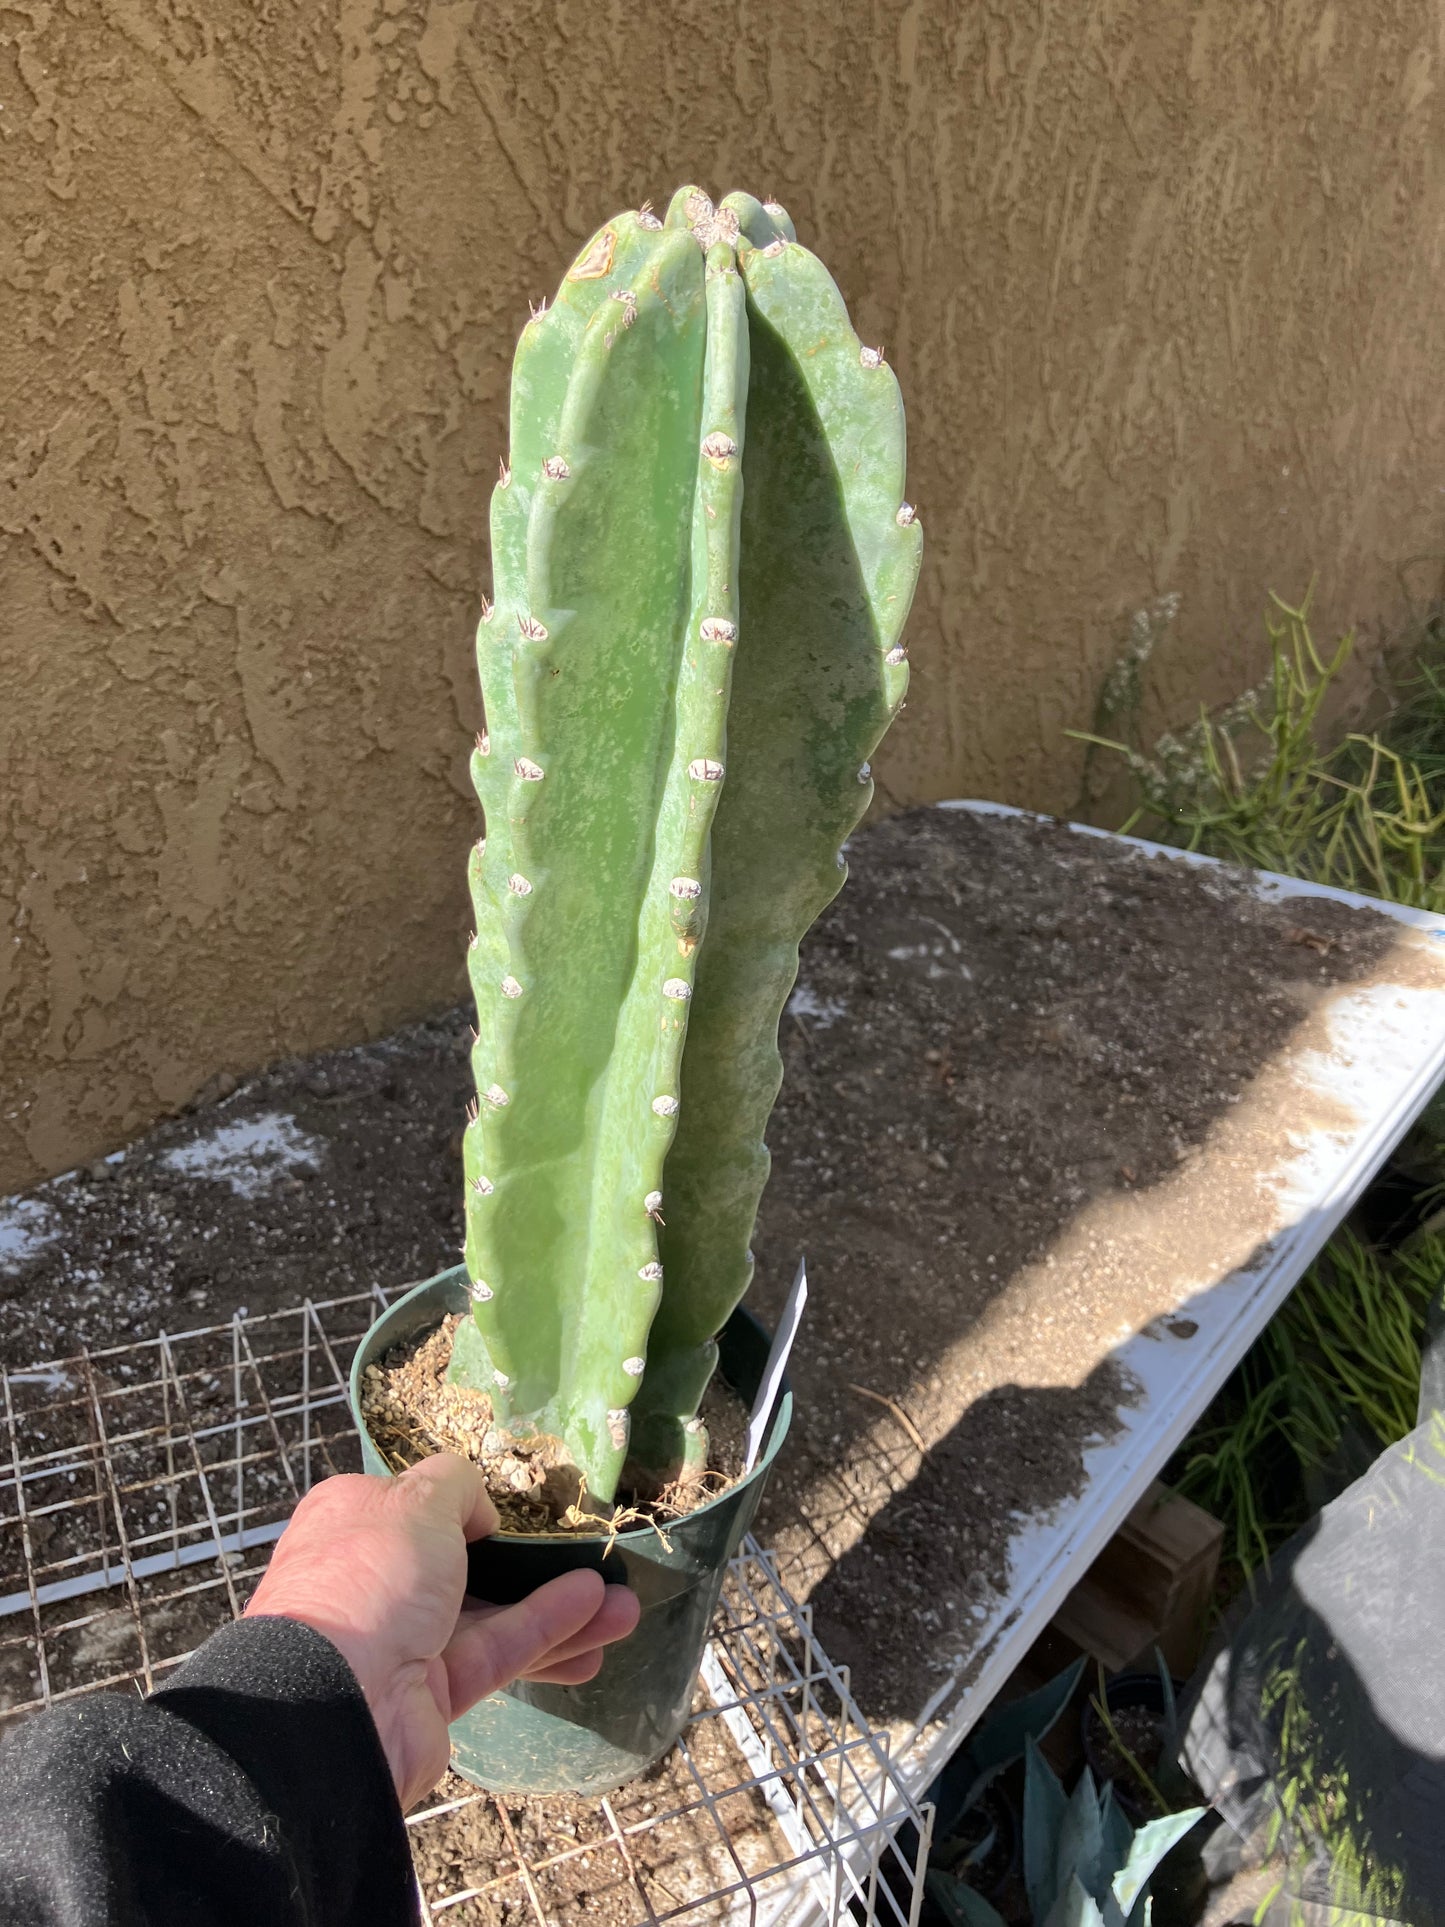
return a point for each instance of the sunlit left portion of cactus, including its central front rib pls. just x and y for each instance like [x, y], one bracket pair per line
[608, 693]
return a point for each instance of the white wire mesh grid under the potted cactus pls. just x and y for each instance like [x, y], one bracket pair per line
[142, 1491]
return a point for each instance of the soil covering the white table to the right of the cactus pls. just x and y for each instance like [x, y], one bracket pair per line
[1005, 1059]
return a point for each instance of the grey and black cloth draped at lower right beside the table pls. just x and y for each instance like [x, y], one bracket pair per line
[1319, 1726]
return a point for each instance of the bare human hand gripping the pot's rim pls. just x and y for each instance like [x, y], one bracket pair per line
[379, 1566]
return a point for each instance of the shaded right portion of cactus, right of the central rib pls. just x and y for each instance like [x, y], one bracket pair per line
[826, 583]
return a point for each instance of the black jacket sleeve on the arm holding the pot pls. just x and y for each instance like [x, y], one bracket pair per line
[250, 1791]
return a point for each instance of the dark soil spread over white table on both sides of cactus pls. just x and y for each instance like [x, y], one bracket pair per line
[1005, 1059]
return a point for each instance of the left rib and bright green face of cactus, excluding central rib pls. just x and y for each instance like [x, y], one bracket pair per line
[577, 672]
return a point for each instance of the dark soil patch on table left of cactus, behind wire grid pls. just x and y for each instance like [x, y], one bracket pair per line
[325, 1176]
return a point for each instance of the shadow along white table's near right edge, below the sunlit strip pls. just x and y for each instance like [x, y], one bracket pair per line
[937, 1575]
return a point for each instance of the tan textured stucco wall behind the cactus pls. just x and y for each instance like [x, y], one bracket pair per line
[1163, 286]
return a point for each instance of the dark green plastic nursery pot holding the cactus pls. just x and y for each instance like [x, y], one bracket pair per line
[591, 1739]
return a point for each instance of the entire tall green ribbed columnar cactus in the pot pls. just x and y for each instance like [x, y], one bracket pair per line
[702, 562]
